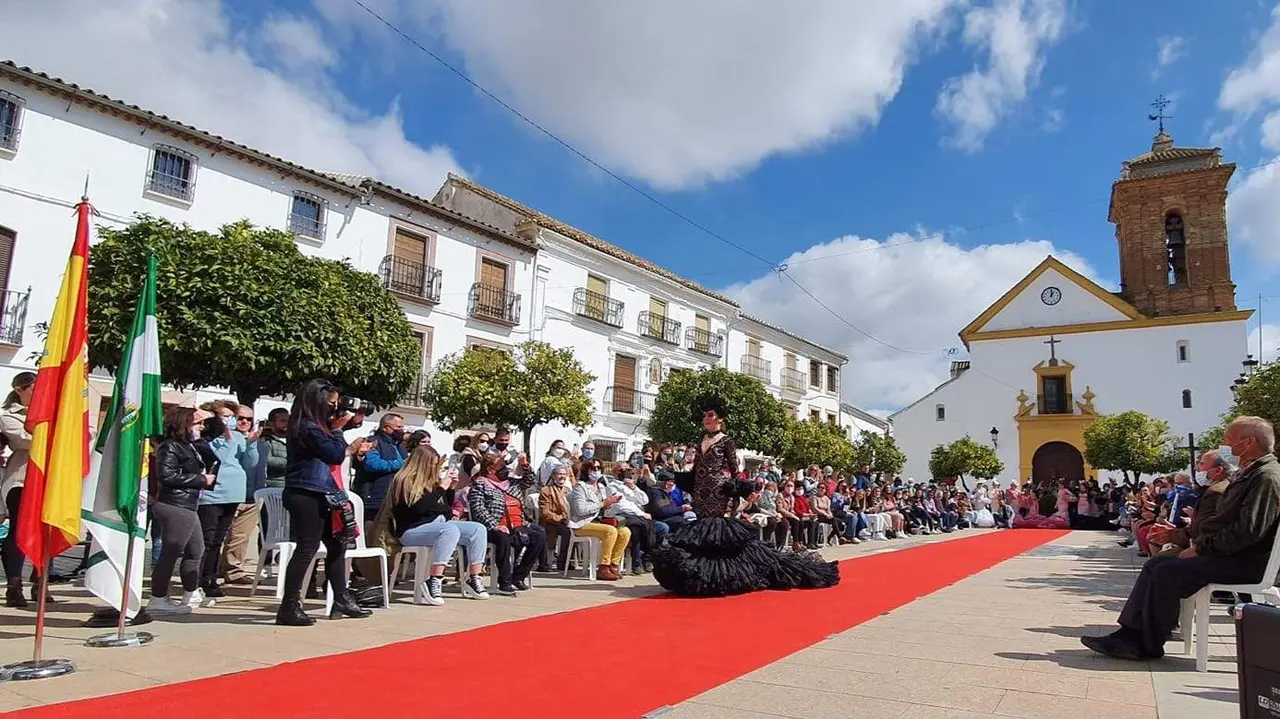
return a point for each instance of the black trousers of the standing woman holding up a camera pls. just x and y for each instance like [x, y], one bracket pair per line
[310, 524]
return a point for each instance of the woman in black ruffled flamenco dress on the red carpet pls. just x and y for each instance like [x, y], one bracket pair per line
[719, 555]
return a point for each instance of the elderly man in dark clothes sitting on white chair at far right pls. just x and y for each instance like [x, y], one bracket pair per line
[1232, 547]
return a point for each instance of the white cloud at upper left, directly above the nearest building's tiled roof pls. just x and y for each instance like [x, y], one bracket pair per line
[184, 59]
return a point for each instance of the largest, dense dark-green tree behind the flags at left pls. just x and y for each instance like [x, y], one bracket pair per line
[244, 309]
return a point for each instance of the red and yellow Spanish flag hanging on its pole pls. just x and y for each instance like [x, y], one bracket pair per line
[58, 418]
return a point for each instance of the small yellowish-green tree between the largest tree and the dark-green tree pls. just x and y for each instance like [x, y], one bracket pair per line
[534, 386]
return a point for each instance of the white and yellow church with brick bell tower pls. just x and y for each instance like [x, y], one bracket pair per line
[1058, 350]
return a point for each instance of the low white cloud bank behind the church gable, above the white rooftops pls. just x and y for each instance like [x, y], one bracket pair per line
[915, 292]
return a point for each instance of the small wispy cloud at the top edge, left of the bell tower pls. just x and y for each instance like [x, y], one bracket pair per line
[1016, 35]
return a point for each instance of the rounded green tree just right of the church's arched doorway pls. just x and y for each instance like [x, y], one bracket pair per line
[1132, 443]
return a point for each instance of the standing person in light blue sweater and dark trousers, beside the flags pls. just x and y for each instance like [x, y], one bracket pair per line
[237, 456]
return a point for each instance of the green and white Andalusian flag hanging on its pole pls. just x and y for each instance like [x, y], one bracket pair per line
[115, 503]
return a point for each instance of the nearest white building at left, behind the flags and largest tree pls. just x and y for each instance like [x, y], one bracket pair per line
[460, 283]
